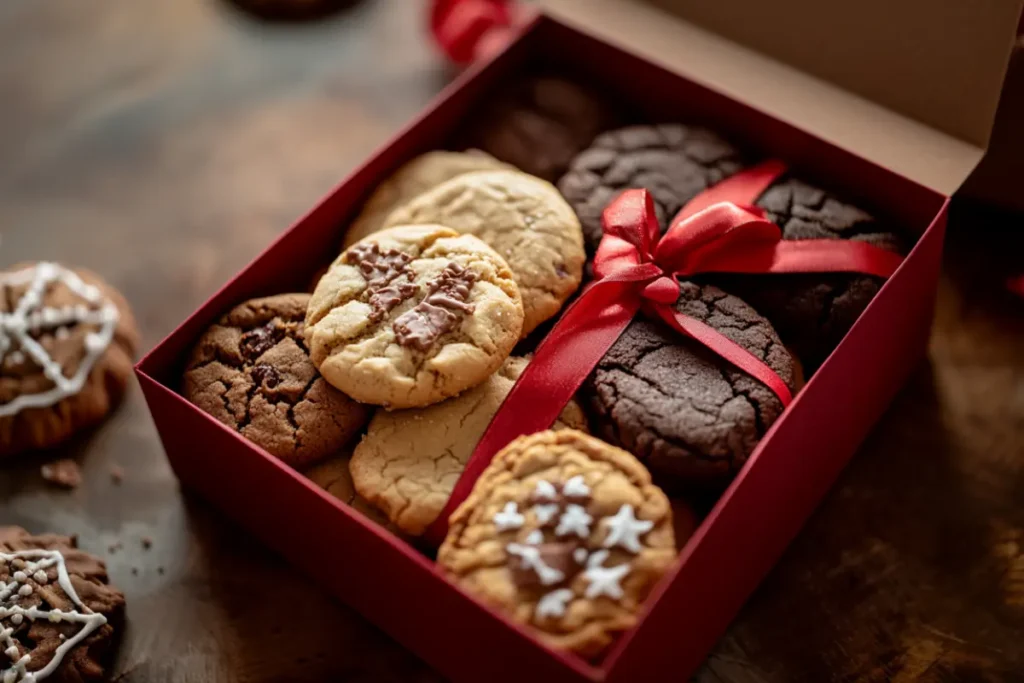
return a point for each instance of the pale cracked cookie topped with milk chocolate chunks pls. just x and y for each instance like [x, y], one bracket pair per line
[412, 316]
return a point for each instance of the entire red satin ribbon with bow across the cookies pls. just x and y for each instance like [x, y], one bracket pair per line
[637, 270]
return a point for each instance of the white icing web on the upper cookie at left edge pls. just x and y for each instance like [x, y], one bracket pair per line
[27, 320]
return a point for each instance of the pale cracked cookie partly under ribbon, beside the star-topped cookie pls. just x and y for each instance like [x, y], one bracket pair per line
[409, 461]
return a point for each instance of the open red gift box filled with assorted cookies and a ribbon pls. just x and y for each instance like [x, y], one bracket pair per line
[546, 387]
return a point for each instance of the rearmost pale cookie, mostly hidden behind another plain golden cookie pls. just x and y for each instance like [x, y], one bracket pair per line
[423, 174]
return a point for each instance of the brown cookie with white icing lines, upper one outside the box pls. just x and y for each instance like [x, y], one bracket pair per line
[67, 343]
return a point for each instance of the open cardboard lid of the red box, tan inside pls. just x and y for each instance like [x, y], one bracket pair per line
[912, 86]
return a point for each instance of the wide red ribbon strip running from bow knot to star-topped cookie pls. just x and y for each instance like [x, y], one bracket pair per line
[561, 365]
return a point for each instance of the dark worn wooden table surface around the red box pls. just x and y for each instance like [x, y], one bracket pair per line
[165, 144]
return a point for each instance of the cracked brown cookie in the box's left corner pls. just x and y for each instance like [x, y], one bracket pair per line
[252, 372]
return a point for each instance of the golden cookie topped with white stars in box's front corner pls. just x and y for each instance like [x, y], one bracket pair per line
[564, 534]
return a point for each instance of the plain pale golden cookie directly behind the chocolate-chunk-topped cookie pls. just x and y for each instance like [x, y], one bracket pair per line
[525, 220]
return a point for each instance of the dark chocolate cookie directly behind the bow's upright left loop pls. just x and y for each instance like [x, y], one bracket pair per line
[675, 163]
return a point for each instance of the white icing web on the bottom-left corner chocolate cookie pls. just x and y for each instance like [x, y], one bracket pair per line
[40, 561]
